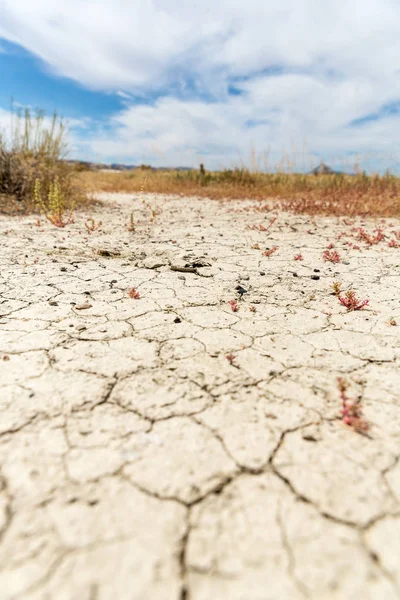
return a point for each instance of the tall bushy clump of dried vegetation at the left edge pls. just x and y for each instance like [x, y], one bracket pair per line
[34, 176]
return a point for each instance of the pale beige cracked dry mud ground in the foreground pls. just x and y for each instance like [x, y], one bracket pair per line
[137, 463]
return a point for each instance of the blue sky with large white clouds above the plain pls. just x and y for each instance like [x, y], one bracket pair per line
[179, 82]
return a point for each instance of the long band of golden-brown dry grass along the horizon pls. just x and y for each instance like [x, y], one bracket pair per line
[309, 194]
